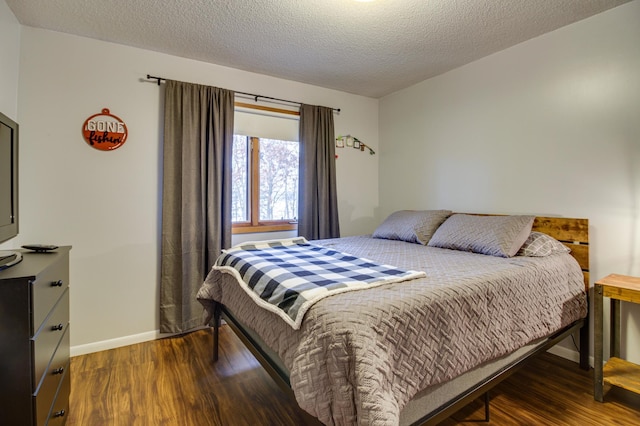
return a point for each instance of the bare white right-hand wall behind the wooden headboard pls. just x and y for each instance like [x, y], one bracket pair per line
[550, 127]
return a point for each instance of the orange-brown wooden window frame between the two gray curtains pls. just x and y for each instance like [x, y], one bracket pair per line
[254, 224]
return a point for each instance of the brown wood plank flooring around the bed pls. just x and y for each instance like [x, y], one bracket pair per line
[174, 382]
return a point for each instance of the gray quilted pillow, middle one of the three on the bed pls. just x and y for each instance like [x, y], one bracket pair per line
[500, 236]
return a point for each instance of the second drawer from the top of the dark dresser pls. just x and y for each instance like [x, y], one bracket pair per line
[49, 337]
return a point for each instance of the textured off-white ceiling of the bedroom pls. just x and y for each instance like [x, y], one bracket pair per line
[370, 49]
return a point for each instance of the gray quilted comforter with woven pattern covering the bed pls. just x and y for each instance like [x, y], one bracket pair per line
[360, 356]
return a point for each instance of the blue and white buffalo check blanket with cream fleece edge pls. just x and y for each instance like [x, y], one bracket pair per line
[288, 276]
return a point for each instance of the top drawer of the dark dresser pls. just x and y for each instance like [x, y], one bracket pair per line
[47, 289]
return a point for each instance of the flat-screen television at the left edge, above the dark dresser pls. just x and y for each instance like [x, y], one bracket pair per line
[8, 178]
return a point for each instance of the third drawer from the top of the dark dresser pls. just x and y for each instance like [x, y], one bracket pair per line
[54, 376]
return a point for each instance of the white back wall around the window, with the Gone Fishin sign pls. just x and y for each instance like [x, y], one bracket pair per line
[107, 204]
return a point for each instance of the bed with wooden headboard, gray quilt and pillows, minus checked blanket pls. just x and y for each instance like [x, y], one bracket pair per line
[415, 351]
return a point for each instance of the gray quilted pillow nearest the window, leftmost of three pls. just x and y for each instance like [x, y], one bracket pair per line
[412, 226]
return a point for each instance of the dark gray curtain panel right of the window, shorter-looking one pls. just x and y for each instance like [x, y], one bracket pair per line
[317, 199]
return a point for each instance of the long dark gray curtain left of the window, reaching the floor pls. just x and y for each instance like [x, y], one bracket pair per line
[196, 196]
